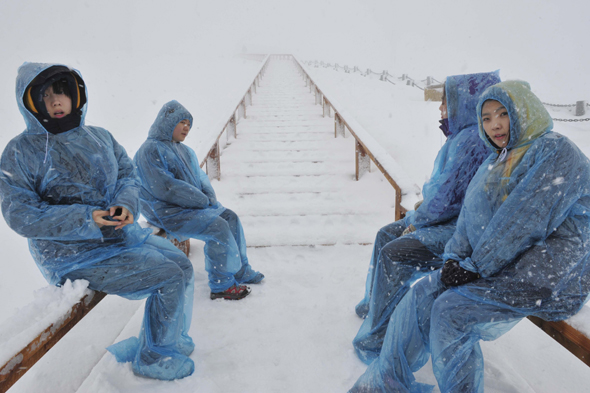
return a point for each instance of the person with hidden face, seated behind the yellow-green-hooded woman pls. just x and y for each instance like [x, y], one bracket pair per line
[411, 247]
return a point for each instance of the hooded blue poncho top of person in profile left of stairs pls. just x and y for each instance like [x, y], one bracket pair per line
[174, 186]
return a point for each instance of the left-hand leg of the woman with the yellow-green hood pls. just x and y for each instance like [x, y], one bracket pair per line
[406, 344]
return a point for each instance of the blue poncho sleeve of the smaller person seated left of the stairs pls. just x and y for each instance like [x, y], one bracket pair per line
[161, 182]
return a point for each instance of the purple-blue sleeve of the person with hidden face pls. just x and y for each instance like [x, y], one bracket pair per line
[454, 167]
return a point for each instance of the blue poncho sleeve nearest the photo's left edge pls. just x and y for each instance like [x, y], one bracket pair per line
[28, 215]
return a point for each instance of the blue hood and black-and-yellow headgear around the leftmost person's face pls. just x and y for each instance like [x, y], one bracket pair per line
[32, 81]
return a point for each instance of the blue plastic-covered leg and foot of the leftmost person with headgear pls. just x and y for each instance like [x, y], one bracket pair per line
[145, 272]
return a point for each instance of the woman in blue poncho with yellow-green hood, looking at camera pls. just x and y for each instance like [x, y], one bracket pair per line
[522, 247]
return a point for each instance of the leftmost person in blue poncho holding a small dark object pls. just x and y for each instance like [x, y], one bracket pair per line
[71, 189]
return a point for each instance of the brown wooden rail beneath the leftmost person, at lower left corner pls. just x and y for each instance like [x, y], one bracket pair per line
[28, 356]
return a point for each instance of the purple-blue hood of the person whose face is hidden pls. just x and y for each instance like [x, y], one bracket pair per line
[462, 94]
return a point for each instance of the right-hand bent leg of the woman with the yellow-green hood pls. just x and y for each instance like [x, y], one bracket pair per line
[458, 323]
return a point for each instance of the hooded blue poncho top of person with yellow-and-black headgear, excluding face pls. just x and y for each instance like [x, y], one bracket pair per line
[50, 185]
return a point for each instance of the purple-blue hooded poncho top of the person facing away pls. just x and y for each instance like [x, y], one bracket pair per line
[456, 162]
